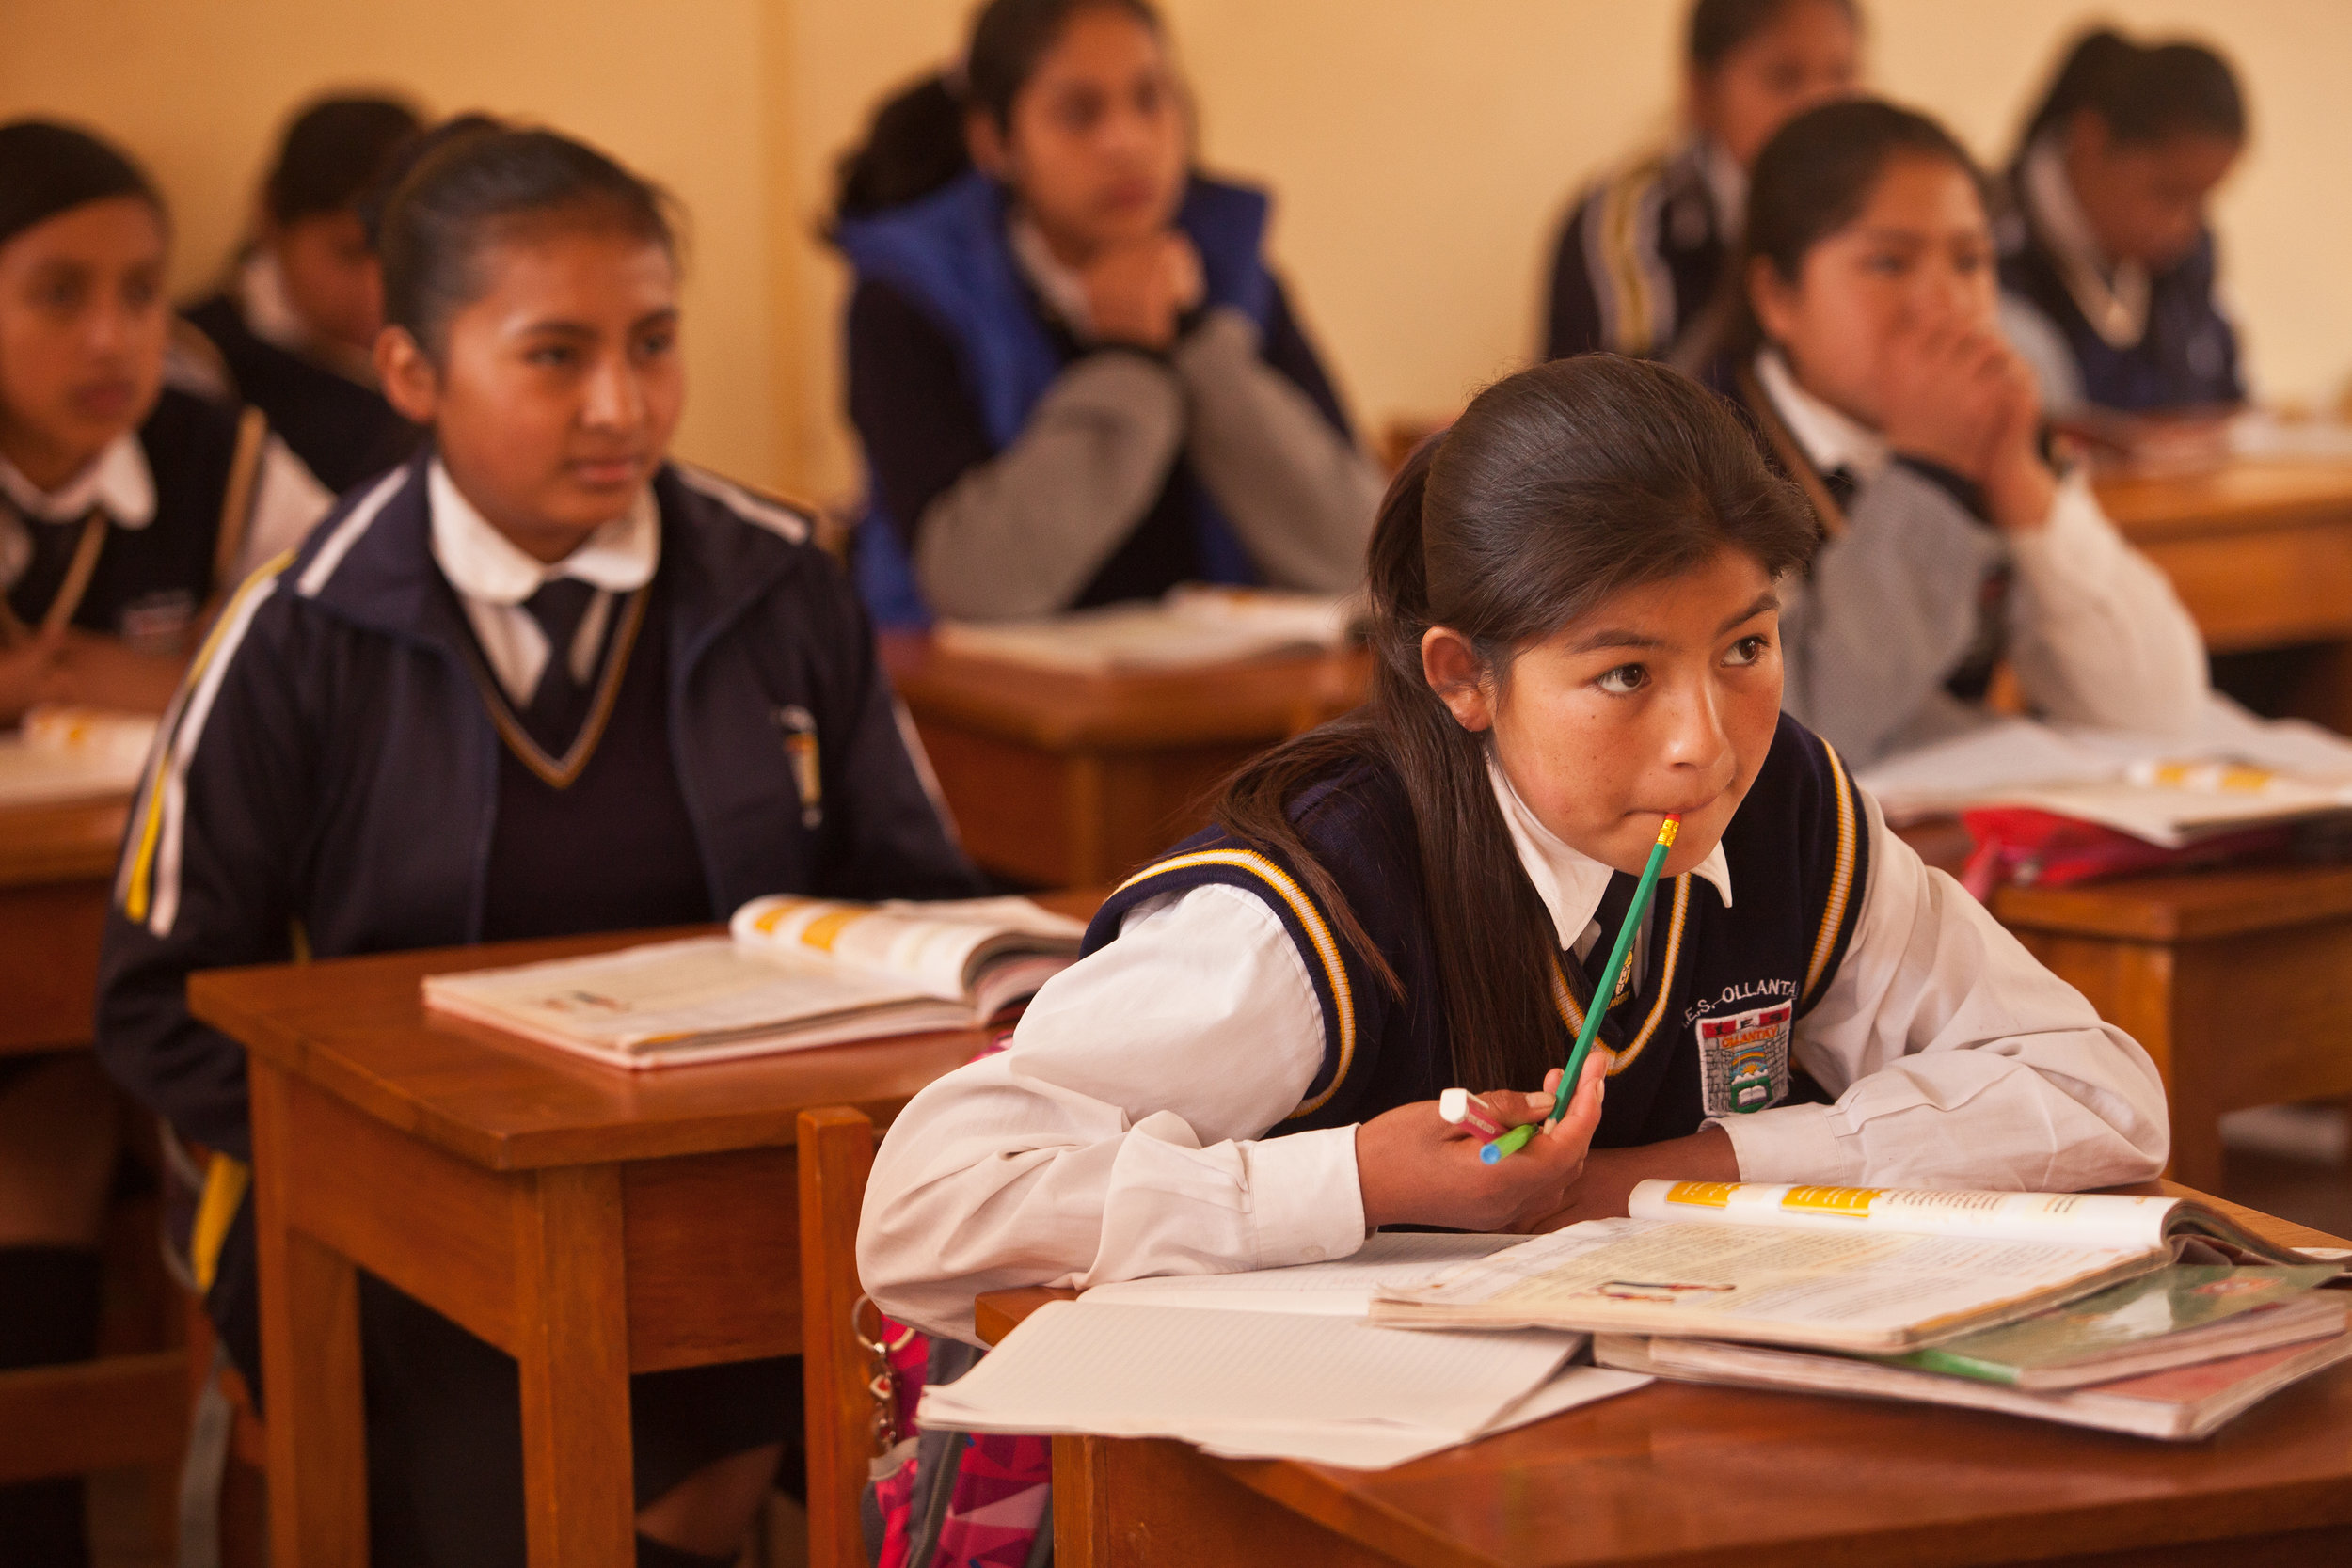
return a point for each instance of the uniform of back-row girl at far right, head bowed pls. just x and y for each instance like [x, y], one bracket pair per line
[2109, 333]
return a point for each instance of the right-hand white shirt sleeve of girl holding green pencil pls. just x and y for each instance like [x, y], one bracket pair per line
[1958, 1061]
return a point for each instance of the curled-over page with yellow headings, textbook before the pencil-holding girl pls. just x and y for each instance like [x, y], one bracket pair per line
[2071, 1219]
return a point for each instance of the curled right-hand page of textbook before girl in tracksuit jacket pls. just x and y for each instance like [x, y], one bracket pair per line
[937, 946]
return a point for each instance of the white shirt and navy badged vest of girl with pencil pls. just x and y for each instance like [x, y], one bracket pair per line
[1187, 1097]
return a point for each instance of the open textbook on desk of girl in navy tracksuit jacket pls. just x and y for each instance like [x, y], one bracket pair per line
[791, 974]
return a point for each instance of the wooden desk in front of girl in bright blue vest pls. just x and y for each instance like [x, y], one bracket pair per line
[1064, 779]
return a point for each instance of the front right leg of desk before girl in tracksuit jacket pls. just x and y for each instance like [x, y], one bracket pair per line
[573, 1348]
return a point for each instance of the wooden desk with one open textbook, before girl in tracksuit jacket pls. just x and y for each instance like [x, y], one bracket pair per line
[589, 1221]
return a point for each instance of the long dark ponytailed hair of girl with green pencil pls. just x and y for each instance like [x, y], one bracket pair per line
[1556, 490]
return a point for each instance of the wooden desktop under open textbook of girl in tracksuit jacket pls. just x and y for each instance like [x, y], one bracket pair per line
[359, 1028]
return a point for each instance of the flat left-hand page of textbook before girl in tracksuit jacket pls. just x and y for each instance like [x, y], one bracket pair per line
[639, 998]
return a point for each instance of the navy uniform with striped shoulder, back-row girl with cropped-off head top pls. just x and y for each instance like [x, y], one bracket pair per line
[1643, 257]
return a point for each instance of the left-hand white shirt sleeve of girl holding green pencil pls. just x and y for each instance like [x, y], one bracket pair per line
[1123, 1132]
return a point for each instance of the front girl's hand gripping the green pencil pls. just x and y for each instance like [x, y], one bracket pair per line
[1419, 1170]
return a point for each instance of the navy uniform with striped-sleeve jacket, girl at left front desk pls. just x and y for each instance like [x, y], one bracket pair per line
[413, 735]
